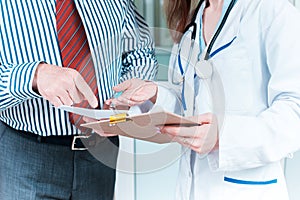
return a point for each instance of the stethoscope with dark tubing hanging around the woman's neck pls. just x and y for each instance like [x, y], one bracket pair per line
[192, 29]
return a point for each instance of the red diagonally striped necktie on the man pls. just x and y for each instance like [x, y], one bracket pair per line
[74, 47]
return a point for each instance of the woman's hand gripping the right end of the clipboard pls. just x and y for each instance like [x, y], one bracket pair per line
[202, 139]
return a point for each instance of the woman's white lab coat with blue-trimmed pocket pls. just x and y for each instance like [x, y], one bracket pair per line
[260, 73]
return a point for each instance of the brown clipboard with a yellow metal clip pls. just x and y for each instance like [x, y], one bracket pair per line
[142, 126]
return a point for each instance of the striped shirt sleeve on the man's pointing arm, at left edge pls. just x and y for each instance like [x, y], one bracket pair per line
[16, 83]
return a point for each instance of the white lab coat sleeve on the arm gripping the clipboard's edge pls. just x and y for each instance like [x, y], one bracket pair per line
[274, 133]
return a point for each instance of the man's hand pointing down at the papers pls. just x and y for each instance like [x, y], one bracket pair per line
[62, 86]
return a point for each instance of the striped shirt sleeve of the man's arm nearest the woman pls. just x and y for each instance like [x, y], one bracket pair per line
[138, 47]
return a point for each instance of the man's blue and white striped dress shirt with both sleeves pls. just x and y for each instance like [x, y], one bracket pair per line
[120, 44]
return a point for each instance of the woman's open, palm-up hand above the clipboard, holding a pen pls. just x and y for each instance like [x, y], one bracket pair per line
[135, 91]
